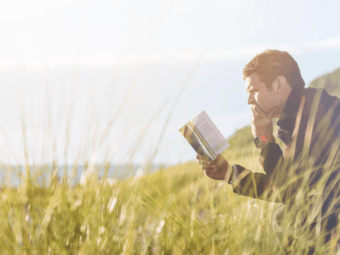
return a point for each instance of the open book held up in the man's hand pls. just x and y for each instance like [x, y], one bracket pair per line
[204, 137]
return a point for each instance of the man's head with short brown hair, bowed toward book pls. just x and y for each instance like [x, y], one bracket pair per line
[270, 77]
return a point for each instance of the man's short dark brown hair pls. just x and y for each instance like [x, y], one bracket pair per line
[270, 64]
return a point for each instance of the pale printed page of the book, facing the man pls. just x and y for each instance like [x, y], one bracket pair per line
[208, 130]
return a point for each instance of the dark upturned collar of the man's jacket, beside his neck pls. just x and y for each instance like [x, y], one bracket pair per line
[286, 122]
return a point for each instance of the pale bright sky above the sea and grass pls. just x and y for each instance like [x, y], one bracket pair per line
[115, 80]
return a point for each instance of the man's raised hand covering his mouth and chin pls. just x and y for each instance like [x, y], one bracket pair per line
[261, 123]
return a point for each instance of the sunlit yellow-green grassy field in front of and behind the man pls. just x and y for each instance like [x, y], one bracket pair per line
[176, 210]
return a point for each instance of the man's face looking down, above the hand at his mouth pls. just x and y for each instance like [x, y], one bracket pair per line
[259, 95]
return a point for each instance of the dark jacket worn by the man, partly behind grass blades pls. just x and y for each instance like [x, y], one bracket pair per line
[311, 133]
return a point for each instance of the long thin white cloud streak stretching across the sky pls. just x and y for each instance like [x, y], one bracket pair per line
[102, 60]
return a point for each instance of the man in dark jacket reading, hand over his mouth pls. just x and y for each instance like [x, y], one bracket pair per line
[309, 127]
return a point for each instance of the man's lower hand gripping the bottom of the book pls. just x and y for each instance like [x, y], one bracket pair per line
[216, 169]
